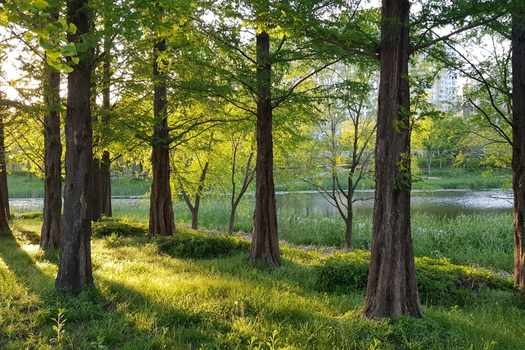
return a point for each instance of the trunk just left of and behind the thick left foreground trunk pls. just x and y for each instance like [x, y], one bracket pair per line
[52, 221]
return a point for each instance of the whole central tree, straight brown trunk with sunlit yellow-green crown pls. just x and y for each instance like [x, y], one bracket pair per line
[268, 89]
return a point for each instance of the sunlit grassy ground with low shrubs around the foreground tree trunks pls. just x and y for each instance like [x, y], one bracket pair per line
[197, 291]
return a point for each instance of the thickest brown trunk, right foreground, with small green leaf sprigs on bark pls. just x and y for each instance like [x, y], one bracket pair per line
[392, 290]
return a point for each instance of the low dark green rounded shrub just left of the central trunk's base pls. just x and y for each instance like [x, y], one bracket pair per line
[198, 245]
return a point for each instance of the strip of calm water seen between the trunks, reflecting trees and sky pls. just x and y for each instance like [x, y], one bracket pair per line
[439, 203]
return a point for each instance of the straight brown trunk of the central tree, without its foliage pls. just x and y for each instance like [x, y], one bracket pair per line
[265, 240]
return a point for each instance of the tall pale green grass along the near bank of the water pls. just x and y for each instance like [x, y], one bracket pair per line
[480, 239]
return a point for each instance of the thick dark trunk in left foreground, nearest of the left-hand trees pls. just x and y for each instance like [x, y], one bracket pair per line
[75, 272]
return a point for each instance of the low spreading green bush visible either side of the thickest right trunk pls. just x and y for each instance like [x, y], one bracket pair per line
[439, 281]
